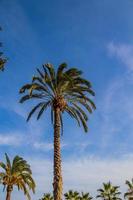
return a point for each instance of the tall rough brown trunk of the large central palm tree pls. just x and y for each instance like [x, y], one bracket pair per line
[57, 183]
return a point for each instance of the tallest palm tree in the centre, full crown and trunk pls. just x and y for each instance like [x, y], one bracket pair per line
[62, 91]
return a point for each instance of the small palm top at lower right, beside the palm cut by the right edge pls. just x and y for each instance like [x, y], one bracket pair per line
[109, 192]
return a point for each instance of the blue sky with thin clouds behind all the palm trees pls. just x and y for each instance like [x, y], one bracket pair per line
[95, 36]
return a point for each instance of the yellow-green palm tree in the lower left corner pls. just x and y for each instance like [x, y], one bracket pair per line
[17, 173]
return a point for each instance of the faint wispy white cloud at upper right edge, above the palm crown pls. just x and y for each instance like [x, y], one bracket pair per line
[123, 52]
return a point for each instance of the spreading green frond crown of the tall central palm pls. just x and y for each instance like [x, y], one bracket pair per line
[64, 89]
